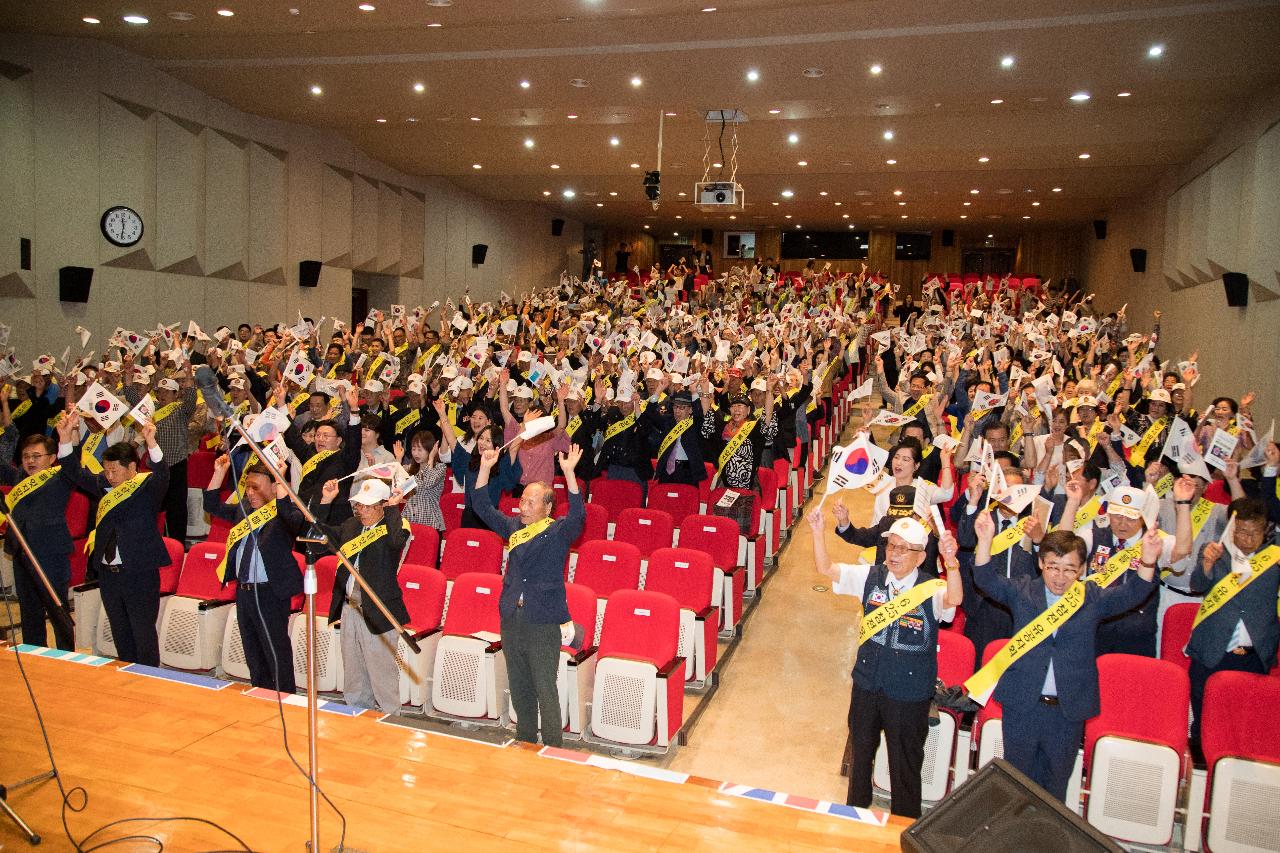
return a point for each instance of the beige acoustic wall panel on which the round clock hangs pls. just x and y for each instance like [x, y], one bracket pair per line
[127, 176]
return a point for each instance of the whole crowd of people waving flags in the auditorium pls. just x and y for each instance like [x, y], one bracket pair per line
[1043, 459]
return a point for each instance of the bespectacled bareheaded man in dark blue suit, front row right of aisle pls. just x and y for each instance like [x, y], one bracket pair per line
[1053, 688]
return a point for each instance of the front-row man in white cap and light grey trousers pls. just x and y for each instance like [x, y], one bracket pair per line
[374, 540]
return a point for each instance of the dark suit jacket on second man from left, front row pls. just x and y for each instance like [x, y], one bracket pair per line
[132, 523]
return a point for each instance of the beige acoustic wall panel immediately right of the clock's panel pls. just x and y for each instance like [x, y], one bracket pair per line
[180, 221]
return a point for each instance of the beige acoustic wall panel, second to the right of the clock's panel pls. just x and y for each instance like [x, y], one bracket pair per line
[226, 206]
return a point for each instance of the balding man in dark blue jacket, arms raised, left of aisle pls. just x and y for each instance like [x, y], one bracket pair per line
[534, 608]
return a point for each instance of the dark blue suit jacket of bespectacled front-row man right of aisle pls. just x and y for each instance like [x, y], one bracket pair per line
[1072, 649]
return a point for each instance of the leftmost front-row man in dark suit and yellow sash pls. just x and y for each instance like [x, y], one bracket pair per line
[38, 504]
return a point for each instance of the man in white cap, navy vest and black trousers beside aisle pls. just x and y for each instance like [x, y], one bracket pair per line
[898, 659]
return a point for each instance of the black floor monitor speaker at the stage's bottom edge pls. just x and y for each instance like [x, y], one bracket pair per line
[999, 810]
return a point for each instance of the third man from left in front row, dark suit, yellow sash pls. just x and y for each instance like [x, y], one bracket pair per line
[262, 562]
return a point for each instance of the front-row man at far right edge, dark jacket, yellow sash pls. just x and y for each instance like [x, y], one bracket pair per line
[1241, 635]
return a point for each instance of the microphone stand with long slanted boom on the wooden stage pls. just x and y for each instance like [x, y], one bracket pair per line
[316, 537]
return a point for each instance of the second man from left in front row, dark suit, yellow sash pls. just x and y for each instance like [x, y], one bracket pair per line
[127, 548]
